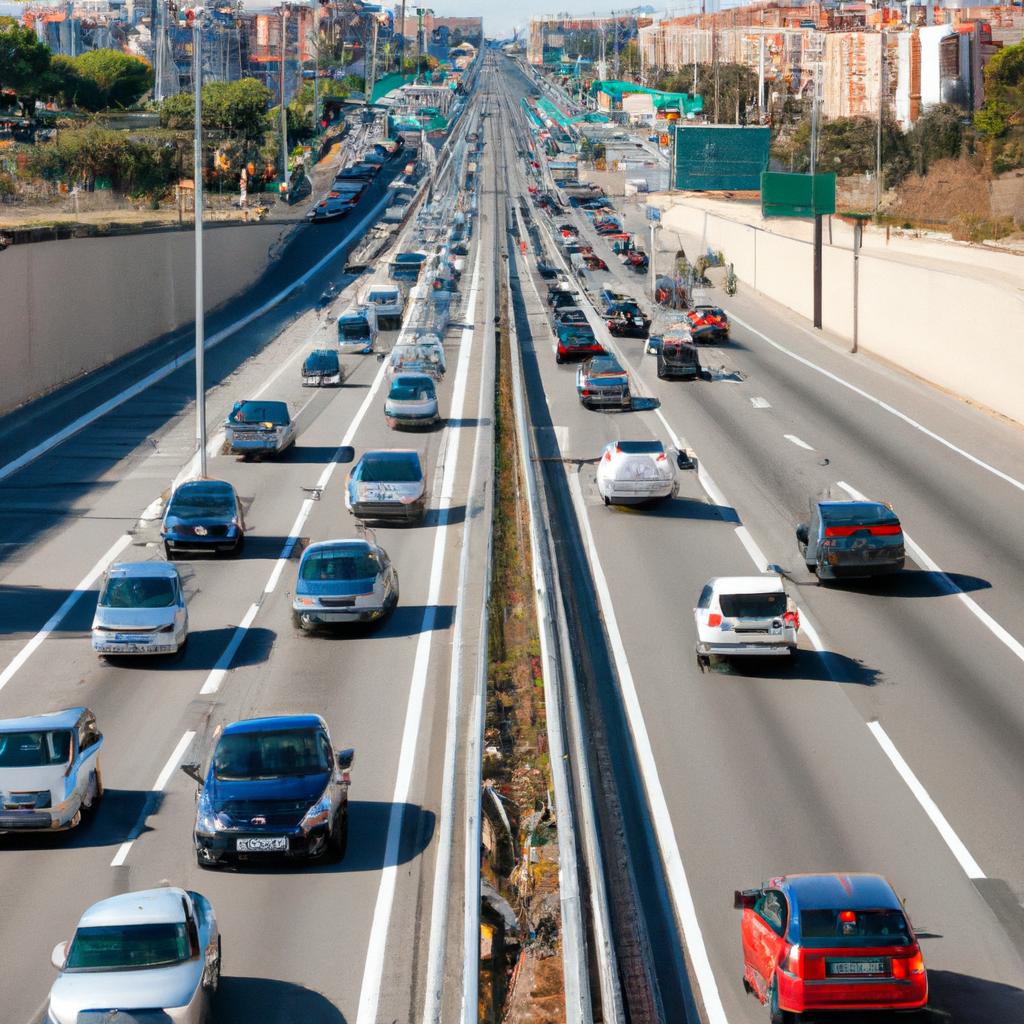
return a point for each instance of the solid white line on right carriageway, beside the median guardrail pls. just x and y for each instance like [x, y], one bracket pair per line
[675, 872]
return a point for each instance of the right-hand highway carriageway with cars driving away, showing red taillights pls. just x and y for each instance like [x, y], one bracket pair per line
[893, 742]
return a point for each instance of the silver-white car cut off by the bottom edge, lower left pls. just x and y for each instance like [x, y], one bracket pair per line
[157, 952]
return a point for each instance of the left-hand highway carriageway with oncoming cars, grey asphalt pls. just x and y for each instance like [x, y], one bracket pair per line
[324, 944]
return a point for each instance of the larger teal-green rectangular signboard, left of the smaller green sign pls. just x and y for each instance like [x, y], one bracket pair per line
[721, 157]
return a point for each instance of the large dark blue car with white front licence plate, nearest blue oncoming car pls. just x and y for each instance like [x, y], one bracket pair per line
[276, 788]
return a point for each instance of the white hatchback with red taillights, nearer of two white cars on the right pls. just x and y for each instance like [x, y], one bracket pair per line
[745, 617]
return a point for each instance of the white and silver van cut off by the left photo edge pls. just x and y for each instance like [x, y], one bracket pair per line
[50, 771]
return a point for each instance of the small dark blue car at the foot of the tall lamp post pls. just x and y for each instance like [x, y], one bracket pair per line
[203, 516]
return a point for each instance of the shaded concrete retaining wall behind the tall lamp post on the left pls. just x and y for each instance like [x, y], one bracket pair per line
[69, 308]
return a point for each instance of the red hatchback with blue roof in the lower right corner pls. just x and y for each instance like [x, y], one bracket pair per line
[830, 943]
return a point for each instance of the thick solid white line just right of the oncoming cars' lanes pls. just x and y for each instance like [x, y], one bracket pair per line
[373, 973]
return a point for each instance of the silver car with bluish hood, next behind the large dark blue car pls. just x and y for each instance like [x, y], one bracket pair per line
[344, 582]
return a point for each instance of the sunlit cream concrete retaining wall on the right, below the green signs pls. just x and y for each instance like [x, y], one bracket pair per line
[963, 333]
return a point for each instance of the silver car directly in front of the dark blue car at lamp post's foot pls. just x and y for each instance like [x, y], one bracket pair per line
[142, 611]
